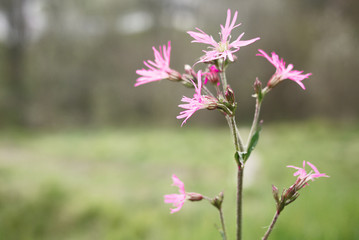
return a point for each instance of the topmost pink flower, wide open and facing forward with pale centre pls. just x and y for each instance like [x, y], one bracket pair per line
[223, 48]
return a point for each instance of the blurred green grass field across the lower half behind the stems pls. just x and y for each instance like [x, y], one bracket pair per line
[109, 184]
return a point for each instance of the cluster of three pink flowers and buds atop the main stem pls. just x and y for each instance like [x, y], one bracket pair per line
[160, 69]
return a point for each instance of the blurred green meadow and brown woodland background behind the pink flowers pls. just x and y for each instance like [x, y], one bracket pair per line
[86, 155]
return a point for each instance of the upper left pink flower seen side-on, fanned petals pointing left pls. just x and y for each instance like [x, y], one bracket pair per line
[159, 69]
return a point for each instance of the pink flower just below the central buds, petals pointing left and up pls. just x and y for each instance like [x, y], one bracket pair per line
[198, 101]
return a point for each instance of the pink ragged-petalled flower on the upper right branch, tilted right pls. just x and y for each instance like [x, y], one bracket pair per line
[283, 72]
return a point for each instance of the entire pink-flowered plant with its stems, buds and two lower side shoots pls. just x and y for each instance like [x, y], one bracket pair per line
[217, 57]
